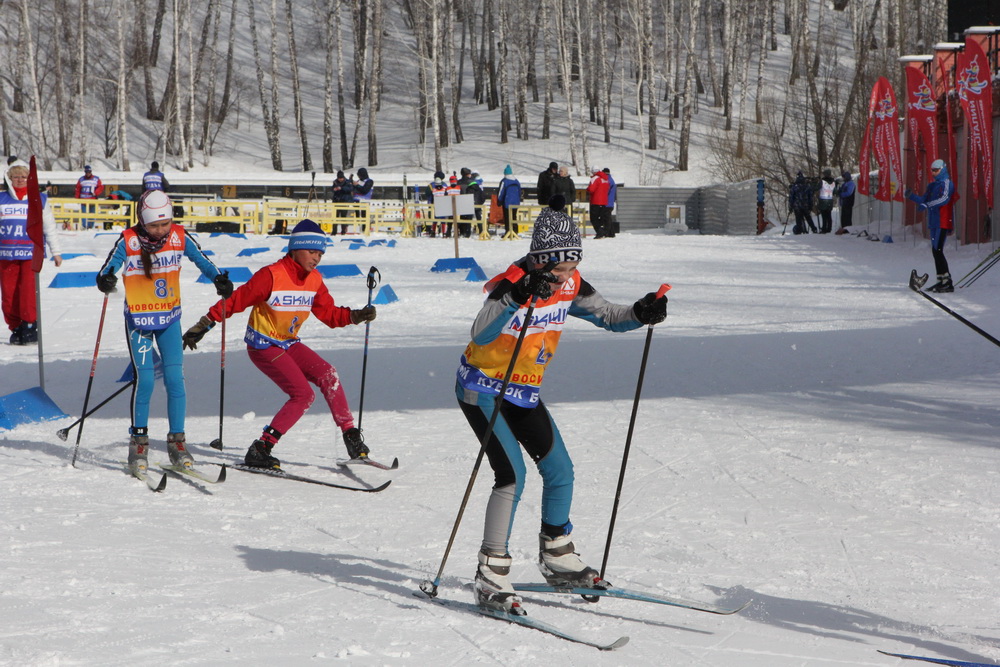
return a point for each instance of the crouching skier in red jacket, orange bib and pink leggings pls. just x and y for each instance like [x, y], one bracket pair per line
[283, 296]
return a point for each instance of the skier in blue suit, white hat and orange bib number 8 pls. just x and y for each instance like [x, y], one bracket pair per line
[151, 254]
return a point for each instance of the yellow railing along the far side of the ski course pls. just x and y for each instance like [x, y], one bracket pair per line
[389, 216]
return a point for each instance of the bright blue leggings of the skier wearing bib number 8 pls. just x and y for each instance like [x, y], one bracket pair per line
[140, 348]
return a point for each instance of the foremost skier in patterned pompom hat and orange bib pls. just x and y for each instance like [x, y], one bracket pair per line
[549, 279]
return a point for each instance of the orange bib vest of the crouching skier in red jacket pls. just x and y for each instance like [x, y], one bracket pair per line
[277, 320]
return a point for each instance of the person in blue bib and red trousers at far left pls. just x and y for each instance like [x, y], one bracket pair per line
[17, 283]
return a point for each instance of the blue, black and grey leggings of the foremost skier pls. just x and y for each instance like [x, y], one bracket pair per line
[516, 427]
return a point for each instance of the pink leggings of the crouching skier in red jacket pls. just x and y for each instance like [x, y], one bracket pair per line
[292, 370]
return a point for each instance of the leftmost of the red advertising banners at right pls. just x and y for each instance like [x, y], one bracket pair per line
[881, 141]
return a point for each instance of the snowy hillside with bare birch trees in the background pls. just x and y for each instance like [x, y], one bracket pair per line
[681, 90]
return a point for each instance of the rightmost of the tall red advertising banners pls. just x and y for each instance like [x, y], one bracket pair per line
[972, 80]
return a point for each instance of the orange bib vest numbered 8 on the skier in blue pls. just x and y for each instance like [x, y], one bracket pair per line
[153, 303]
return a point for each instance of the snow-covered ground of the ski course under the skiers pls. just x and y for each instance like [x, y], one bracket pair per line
[812, 436]
